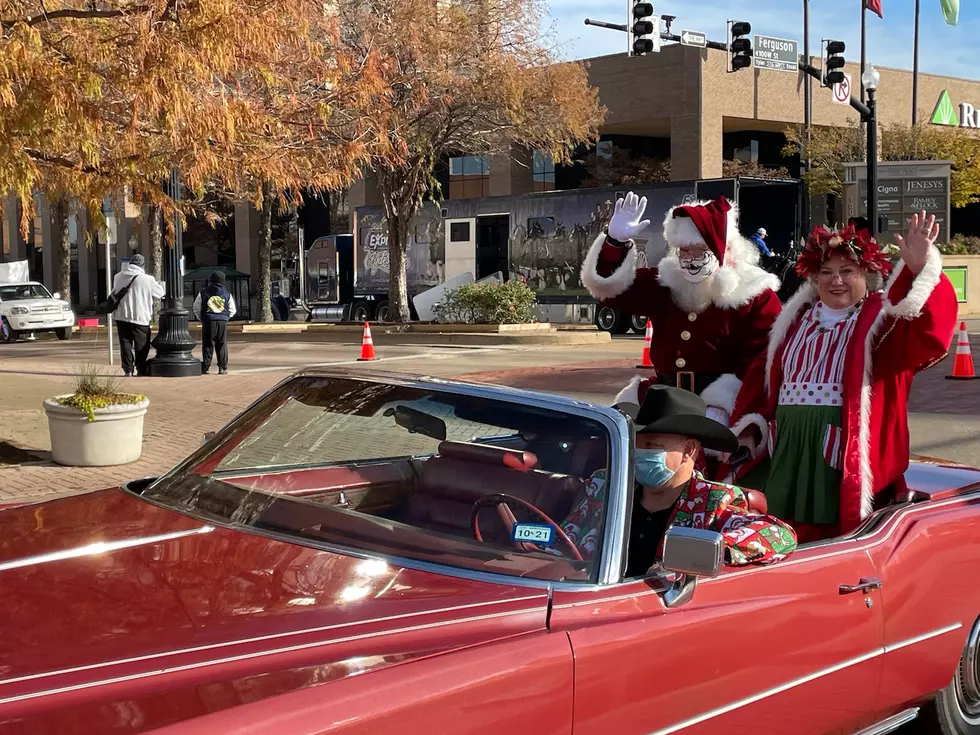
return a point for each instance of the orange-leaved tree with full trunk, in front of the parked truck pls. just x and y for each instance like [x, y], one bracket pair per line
[461, 77]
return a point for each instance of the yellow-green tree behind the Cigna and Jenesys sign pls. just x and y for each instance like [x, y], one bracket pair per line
[830, 148]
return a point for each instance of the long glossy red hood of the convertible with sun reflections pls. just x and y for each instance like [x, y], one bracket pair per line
[107, 597]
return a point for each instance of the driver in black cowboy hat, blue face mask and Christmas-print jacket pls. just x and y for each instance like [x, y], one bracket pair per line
[672, 429]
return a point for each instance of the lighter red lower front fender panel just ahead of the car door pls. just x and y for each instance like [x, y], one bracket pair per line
[519, 684]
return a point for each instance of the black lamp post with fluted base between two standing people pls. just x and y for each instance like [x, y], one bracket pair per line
[174, 342]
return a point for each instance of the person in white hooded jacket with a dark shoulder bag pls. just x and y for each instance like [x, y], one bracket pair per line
[136, 290]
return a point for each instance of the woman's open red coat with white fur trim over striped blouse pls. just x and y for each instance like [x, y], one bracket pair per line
[898, 333]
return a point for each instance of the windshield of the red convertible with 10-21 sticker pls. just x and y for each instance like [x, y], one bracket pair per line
[415, 473]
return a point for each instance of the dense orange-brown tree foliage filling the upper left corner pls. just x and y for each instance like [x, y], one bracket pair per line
[242, 96]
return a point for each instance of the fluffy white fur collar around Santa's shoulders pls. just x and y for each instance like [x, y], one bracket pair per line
[732, 287]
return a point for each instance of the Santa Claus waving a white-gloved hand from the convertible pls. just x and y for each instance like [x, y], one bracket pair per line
[711, 304]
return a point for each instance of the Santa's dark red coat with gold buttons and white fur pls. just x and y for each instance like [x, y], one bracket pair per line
[719, 333]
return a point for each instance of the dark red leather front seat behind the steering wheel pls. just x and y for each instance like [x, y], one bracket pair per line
[455, 479]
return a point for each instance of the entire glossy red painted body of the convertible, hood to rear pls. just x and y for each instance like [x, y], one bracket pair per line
[120, 616]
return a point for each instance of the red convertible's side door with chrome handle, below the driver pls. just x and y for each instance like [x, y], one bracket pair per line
[778, 646]
